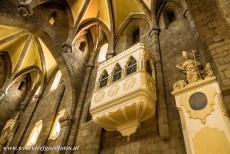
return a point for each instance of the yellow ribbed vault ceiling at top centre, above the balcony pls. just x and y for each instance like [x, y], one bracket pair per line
[108, 11]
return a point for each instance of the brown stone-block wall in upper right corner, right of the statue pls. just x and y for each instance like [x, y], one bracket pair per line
[215, 34]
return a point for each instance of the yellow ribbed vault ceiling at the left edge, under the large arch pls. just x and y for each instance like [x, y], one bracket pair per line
[26, 51]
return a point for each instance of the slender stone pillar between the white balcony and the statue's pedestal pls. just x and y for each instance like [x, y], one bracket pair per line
[161, 105]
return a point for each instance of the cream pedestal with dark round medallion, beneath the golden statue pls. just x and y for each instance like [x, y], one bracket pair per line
[205, 123]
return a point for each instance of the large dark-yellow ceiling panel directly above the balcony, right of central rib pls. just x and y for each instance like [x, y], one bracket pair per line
[122, 9]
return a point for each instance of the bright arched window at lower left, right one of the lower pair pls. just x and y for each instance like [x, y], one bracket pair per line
[56, 128]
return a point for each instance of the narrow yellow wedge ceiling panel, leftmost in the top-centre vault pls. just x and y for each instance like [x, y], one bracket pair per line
[76, 6]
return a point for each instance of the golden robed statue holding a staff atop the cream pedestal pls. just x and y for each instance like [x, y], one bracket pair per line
[190, 67]
